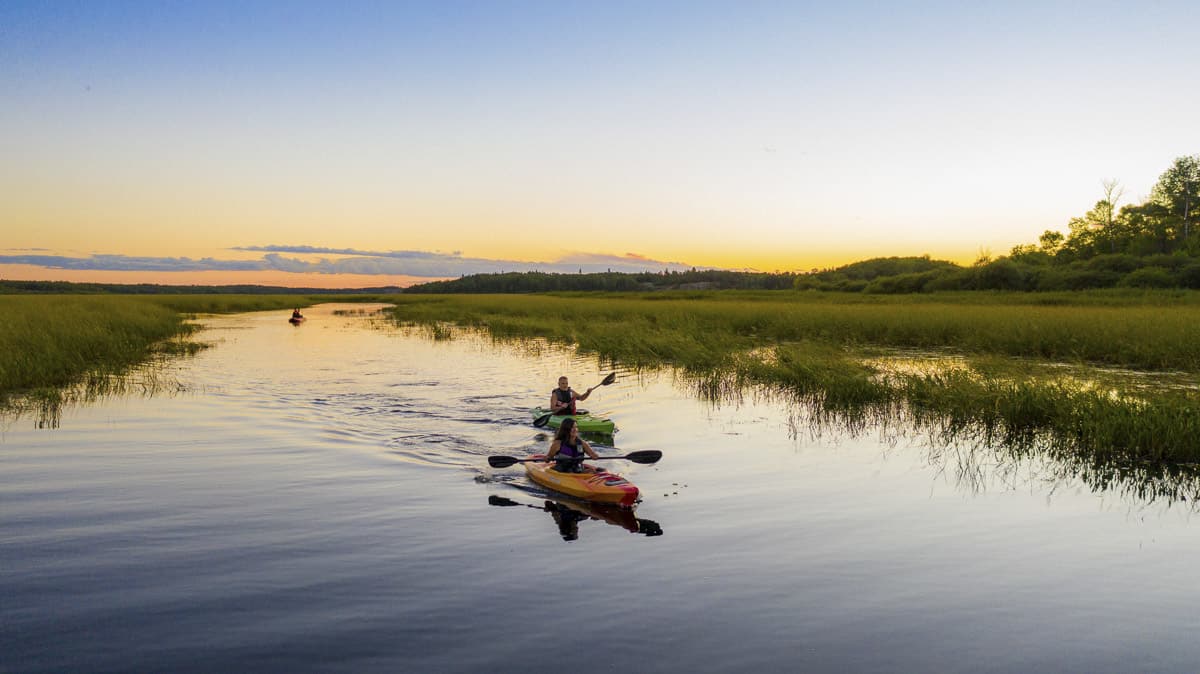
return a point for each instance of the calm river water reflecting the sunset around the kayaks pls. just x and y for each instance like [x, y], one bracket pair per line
[319, 500]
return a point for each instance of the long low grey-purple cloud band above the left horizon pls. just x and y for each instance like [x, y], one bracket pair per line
[371, 263]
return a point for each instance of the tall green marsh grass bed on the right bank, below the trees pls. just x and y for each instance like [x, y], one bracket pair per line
[1001, 384]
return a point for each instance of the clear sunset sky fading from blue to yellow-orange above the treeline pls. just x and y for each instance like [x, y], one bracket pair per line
[361, 145]
